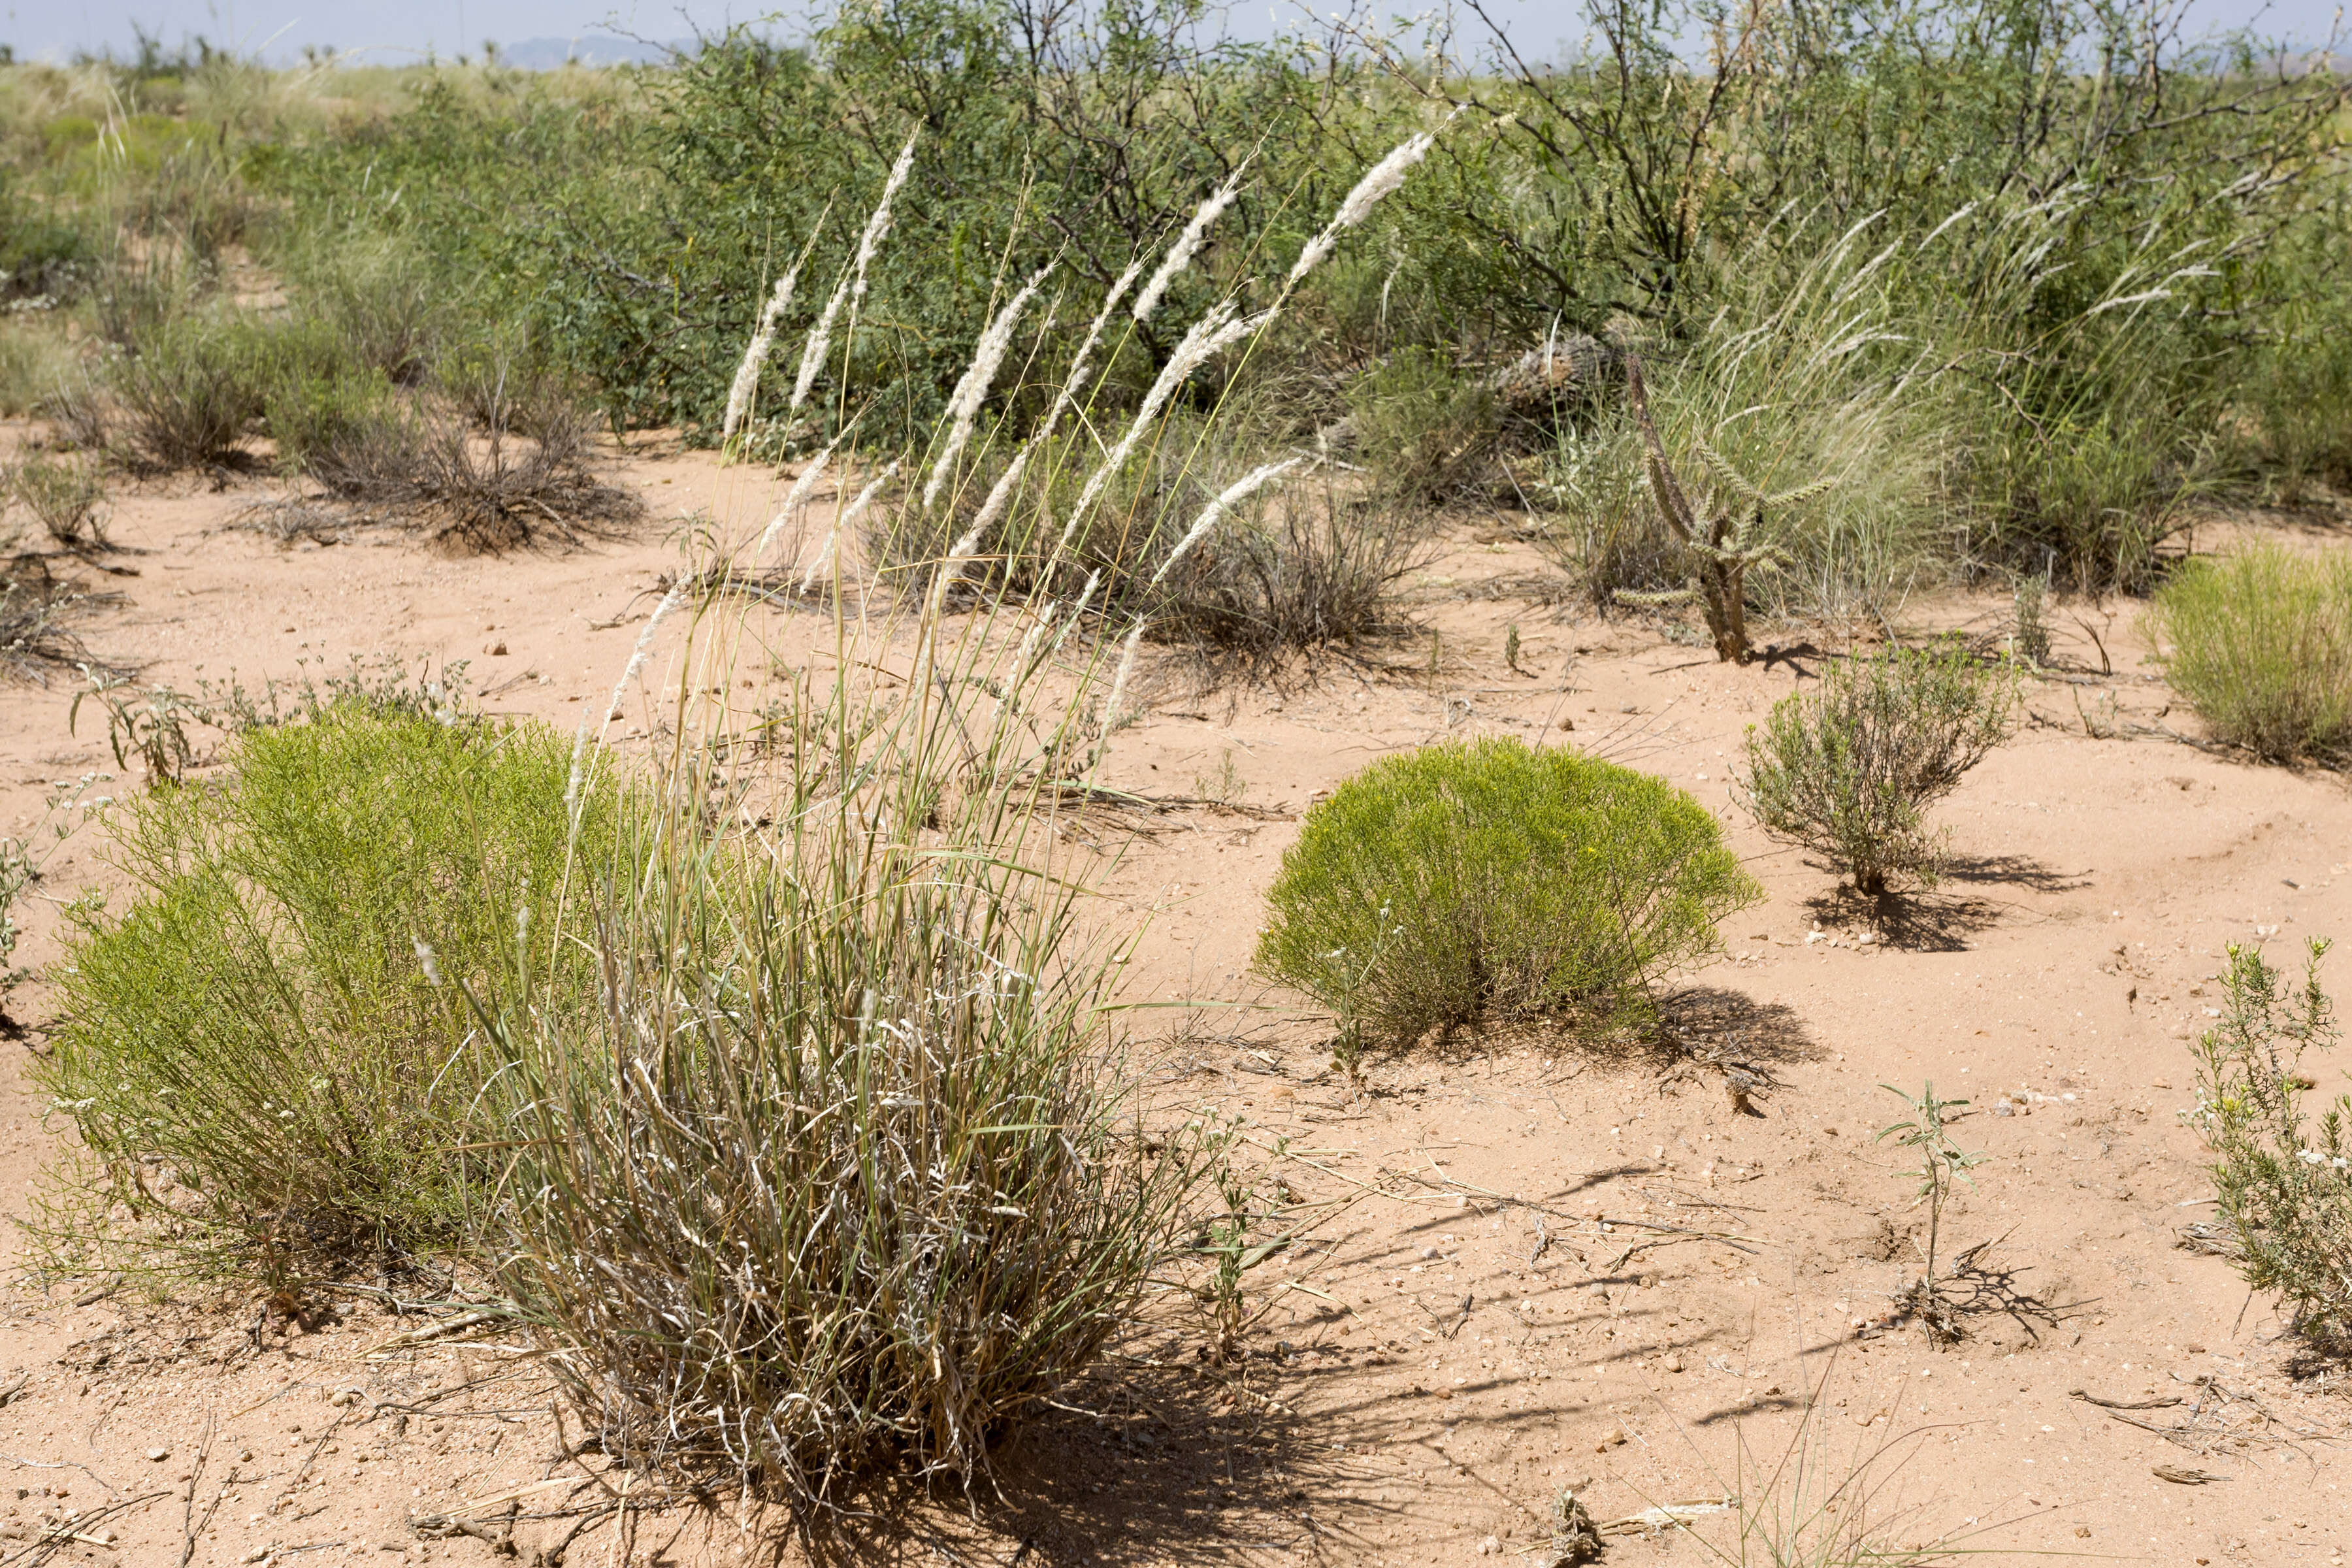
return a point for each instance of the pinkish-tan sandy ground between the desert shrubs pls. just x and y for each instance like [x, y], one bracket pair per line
[1542, 1271]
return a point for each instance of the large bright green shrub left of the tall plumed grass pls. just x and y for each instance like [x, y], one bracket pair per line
[267, 1054]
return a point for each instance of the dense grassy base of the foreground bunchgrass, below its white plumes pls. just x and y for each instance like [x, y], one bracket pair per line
[843, 1172]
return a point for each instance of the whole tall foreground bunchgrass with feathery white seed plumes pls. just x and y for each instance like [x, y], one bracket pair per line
[843, 1170]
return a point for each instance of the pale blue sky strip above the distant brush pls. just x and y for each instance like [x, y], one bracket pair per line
[403, 29]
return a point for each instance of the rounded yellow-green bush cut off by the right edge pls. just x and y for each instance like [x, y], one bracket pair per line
[2261, 648]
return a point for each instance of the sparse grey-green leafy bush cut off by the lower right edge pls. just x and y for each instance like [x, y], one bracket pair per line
[2285, 1186]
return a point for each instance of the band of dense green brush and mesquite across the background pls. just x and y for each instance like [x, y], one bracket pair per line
[1986, 283]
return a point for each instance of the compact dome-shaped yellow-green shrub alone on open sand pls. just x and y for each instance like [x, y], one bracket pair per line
[1492, 880]
